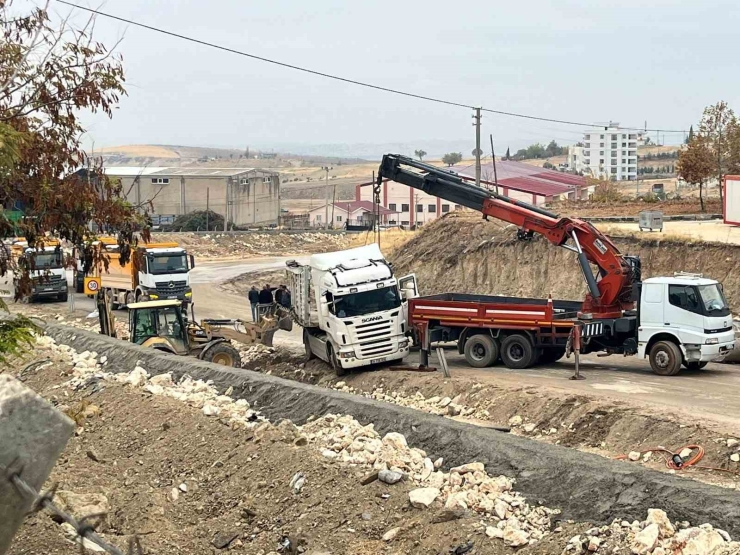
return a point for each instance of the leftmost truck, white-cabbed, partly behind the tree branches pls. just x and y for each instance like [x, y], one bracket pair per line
[46, 269]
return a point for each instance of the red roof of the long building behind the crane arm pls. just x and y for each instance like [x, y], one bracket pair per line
[527, 178]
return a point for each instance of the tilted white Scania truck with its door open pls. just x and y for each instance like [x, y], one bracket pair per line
[351, 307]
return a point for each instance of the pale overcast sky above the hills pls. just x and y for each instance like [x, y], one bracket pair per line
[579, 60]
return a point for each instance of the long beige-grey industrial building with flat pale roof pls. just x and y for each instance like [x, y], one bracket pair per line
[245, 196]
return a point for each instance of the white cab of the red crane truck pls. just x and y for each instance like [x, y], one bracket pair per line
[683, 320]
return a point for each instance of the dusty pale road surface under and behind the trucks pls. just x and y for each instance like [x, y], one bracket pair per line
[712, 394]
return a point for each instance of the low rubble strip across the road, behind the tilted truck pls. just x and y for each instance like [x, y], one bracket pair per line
[220, 245]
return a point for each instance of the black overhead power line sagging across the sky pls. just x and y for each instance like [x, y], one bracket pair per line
[347, 80]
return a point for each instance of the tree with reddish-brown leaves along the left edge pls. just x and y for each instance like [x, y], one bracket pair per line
[49, 75]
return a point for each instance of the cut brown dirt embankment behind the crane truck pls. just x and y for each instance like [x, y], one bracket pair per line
[465, 254]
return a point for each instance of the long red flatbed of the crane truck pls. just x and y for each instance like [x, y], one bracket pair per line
[459, 308]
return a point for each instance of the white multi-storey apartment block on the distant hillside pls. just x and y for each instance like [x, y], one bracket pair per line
[610, 153]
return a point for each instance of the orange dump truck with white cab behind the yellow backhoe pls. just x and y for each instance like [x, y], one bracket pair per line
[154, 271]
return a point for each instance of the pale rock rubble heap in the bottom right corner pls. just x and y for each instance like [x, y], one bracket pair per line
[656, 535]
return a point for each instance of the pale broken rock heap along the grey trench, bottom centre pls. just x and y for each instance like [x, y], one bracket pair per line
[464, 488]
